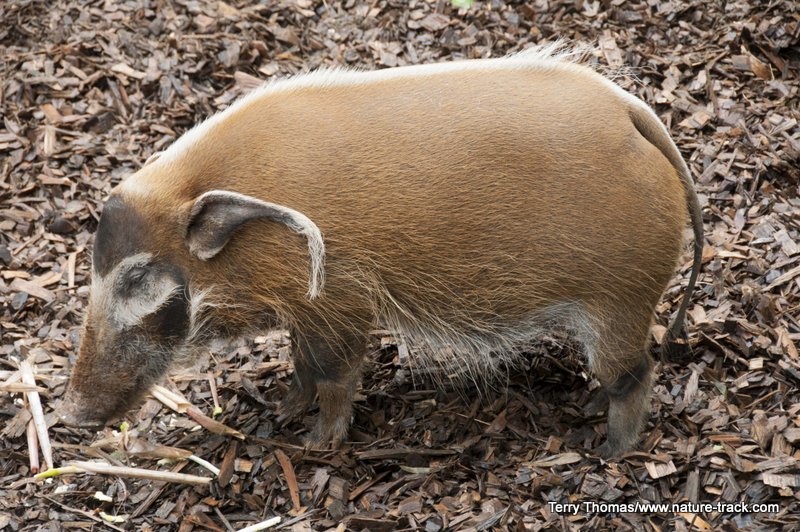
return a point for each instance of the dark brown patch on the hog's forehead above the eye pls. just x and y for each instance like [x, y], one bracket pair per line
[122, 232]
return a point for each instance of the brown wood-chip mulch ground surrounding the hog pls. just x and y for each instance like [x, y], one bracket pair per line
[90, 89]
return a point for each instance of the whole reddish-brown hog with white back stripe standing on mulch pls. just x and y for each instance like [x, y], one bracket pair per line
[468, 206]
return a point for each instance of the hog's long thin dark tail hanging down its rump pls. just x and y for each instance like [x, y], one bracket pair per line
[651, 128]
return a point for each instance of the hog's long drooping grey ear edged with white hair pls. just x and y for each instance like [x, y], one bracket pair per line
[217, 214]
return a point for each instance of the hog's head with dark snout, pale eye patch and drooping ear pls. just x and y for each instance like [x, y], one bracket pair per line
[143, 310]
